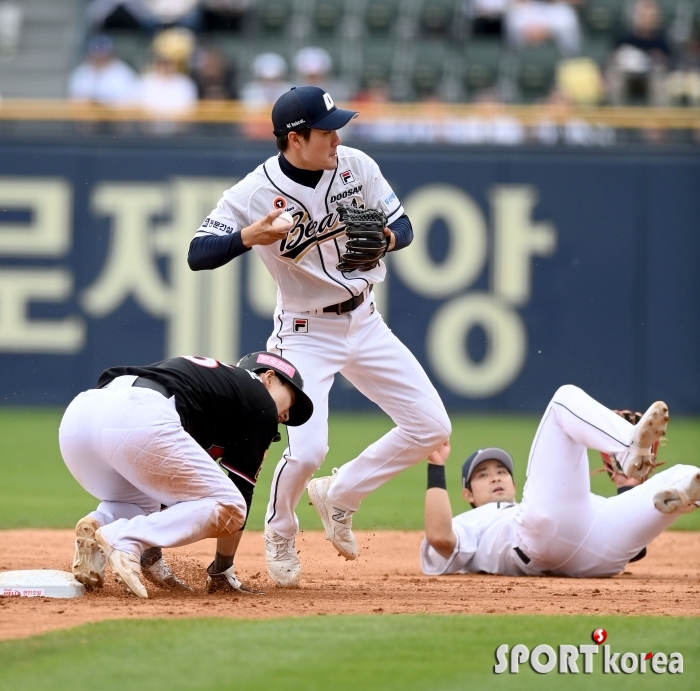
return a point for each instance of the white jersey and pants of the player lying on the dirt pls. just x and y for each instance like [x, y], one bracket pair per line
[560, 527]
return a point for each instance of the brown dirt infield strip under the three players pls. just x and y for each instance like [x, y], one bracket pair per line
[385, 579]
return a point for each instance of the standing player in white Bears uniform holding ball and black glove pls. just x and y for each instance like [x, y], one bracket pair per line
[326, 319]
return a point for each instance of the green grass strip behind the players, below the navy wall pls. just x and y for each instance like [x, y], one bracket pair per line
[36, 490]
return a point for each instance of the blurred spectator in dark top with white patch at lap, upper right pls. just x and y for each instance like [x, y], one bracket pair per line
[639, 64]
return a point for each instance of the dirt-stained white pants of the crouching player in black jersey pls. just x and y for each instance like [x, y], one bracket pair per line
[127, 447]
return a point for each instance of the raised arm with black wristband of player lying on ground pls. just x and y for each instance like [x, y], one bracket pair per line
[438, 511]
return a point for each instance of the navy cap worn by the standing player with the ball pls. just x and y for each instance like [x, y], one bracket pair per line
[308, 106]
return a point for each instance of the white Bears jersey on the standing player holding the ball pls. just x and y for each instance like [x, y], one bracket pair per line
[303, 264]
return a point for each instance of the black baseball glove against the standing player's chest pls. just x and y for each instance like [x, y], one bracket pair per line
[366, 243]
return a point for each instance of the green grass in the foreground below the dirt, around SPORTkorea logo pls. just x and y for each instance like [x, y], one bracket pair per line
[386, 652]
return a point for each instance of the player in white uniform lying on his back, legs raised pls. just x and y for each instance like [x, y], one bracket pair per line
[559, 528]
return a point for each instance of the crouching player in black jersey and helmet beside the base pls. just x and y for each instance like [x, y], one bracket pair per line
[150, 436]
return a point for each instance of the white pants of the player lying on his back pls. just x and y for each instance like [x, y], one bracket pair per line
[562, 527]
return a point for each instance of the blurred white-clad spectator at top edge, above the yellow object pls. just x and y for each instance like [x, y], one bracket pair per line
[531, 22]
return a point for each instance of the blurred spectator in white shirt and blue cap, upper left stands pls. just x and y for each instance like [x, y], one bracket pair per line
[102, 78]
